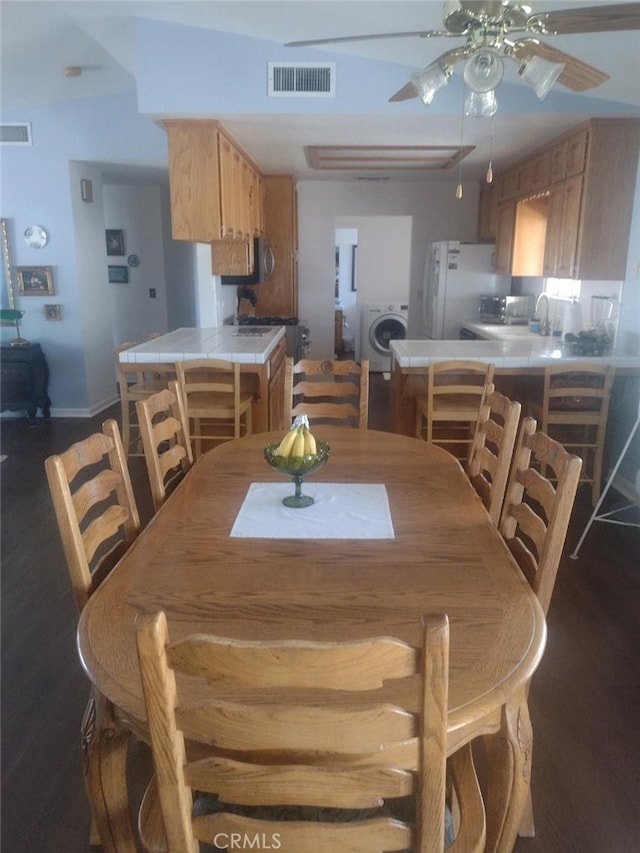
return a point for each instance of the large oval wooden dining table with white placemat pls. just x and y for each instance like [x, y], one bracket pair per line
[396, 531]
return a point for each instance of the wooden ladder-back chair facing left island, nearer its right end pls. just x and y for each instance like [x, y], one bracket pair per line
[217, 408]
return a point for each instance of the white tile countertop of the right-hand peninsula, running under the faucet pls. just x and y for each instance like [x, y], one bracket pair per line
[508, 347]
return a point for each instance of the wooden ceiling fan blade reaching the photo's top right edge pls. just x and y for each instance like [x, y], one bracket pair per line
[588, 19]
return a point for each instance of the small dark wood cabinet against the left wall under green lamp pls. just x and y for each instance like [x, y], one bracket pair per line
[25, 380]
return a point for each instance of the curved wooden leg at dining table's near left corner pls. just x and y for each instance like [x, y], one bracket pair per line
[104, 750]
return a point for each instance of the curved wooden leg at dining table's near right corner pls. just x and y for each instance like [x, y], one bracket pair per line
[509, 774]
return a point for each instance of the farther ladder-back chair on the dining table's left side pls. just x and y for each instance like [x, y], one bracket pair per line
[165, 438]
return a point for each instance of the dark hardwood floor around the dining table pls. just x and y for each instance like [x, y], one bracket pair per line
[585, 697]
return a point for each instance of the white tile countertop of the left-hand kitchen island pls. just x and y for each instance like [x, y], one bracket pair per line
[222, 342]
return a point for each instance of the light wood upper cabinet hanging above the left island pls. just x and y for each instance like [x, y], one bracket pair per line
[216, 192]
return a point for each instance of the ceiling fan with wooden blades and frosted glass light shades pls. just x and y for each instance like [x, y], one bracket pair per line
[488, 26]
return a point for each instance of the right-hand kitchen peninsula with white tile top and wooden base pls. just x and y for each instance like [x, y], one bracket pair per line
[519, 356]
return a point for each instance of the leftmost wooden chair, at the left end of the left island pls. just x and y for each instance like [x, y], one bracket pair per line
[137, 382]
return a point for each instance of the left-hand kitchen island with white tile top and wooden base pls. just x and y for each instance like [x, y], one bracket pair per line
[260, 350]
